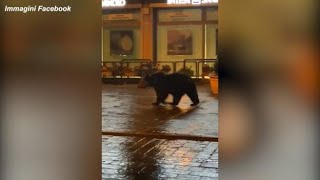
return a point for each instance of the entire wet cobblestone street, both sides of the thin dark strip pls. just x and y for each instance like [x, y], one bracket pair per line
[162, 142]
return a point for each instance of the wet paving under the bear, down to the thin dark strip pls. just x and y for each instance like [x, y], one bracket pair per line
[131, 112]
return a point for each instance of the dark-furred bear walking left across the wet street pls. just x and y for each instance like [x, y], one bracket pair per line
[176, 84]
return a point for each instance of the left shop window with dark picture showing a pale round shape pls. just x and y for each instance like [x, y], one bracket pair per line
[121, 35]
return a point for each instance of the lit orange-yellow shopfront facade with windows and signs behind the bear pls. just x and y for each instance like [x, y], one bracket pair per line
[162, 31]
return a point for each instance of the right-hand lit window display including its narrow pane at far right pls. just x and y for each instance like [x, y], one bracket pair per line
[188, 33]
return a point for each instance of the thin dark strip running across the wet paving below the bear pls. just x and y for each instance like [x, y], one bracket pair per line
[164, 136]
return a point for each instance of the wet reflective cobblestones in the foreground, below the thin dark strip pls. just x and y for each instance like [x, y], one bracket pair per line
[150, 158]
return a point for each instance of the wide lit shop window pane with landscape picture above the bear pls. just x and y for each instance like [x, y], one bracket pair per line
[180, 36]
